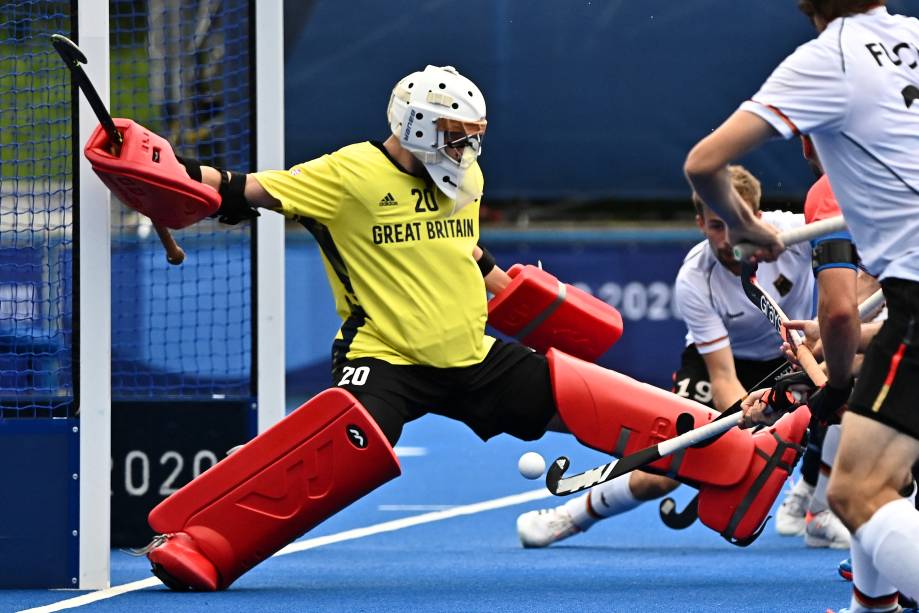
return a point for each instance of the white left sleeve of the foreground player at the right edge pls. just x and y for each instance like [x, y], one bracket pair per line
[806, 93]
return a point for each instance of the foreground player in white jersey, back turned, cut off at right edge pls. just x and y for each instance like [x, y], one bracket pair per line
[854, 89]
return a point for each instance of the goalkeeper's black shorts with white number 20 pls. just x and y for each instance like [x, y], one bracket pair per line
[507, 392]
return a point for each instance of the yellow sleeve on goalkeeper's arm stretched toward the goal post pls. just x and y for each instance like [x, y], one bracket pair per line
[313, 189]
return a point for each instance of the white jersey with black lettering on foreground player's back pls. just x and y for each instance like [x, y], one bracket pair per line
[855, 90]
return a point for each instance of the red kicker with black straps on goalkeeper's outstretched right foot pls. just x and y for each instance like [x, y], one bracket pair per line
[739, 512]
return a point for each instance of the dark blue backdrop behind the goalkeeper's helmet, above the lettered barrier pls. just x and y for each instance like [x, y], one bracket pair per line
[586, 99]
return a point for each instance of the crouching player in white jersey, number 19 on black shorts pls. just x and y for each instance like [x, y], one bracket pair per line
[730, 346]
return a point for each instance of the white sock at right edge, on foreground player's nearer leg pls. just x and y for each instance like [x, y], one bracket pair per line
[891, 539]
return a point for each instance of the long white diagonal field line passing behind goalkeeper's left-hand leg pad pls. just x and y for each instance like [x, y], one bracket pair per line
[348, 535]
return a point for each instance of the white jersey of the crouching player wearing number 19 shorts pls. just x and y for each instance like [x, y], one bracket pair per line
[718, 314]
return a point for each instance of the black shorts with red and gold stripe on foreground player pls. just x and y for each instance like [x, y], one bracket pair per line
[887, 390]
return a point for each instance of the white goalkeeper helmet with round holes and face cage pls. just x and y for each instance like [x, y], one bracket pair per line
[439, 116]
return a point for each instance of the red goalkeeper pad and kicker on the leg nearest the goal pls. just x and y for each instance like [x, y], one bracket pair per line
[310, 465]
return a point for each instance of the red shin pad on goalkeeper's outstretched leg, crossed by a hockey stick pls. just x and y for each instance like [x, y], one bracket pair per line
[616, 414]
